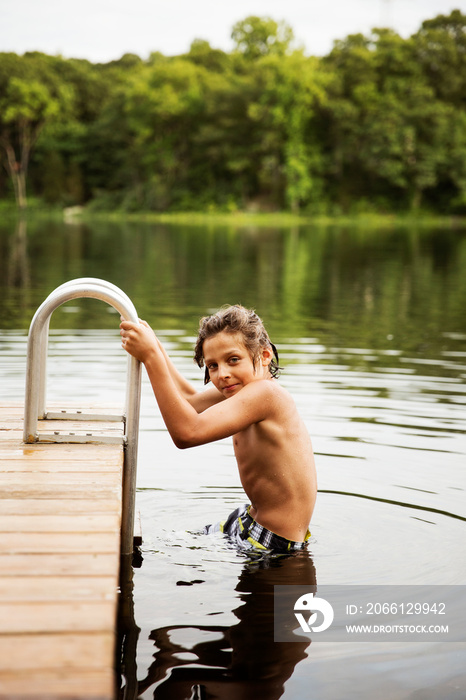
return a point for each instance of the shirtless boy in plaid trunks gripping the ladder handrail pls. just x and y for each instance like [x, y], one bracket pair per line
[272, 447]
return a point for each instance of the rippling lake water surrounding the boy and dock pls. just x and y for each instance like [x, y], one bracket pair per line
[371, 329]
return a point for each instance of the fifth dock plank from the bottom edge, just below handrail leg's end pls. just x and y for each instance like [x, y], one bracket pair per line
[77, 564]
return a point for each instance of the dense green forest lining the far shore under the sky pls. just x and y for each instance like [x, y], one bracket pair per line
[377, 125]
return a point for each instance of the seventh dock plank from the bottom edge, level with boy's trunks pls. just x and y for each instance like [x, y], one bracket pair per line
[74, 522]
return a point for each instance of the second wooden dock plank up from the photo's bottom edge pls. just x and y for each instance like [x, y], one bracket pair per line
[37, 652]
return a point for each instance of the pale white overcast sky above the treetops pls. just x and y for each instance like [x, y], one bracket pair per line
[104, 30]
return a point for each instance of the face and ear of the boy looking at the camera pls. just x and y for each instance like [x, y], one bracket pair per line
[230, 364]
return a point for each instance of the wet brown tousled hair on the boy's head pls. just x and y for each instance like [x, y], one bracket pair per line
[236, 319]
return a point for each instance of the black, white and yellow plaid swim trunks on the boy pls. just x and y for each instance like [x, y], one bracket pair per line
[248, 534]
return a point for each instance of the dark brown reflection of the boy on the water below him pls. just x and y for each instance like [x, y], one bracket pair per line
[237, 661]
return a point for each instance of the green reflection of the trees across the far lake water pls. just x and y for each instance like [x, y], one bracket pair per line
[356, 287]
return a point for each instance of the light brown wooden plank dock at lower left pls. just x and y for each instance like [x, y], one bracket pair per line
[60, 518]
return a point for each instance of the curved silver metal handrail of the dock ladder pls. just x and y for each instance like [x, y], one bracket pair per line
[35, 382]
